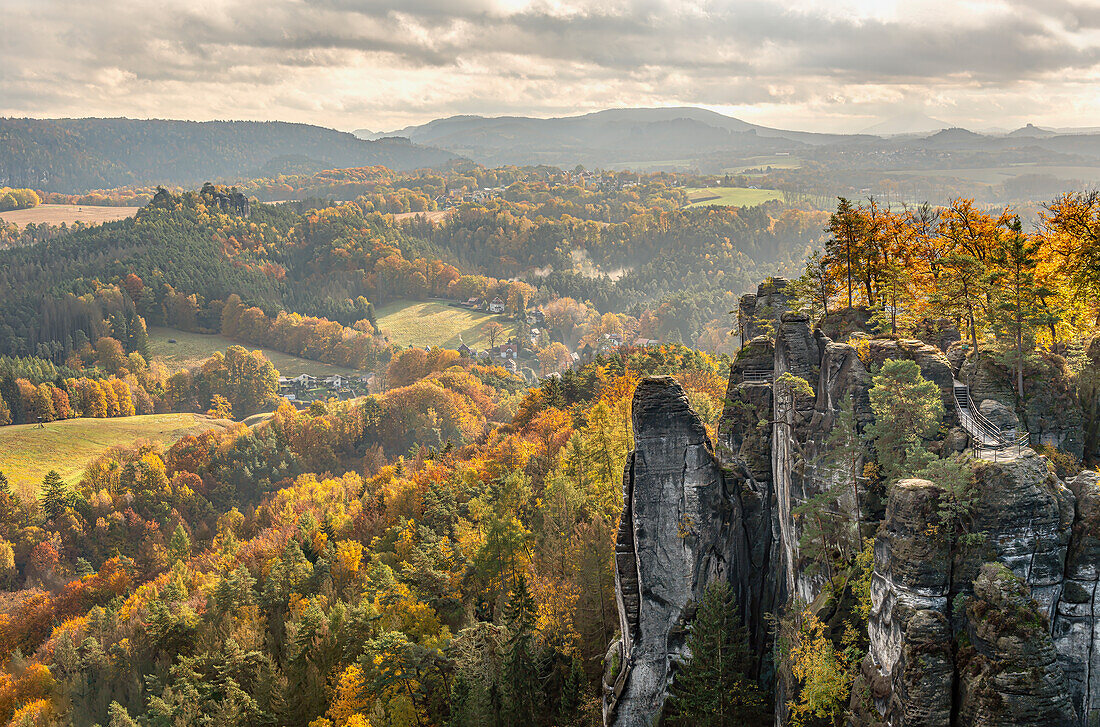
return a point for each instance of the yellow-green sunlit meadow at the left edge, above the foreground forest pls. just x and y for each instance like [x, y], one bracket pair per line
[28, 453]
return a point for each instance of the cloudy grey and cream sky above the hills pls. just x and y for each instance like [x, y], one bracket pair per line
[386, 64]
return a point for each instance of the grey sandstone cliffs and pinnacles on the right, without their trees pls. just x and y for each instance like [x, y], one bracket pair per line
[995, 624]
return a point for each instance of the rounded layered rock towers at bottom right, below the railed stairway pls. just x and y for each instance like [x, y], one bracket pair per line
[999, 655]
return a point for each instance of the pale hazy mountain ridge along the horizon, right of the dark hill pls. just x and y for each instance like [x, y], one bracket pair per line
[685, 138]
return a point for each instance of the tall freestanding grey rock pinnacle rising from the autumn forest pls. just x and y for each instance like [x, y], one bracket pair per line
[680, 531]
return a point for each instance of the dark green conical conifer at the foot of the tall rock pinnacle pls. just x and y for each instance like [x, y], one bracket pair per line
[714, 689]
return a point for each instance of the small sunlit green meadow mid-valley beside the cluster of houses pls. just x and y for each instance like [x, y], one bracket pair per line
[437, 324]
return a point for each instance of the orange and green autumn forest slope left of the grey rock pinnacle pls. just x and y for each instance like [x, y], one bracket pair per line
[438, 555]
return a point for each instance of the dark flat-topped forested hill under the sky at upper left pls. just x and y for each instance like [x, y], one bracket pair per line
[73, 156]
